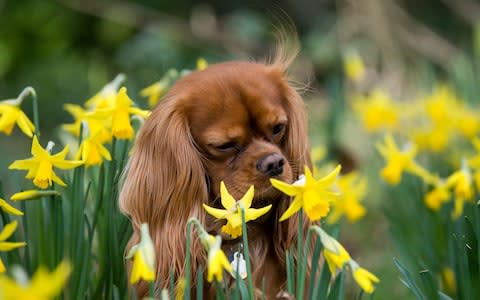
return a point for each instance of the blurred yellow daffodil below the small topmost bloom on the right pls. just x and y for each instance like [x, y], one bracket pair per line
[377, 111]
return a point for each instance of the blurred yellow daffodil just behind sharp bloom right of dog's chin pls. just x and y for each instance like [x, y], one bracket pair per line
[353, 189]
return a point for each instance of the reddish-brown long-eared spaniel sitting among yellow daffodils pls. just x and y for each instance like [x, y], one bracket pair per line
[240, 122]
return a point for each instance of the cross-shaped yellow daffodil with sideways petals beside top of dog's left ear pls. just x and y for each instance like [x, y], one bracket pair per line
[120, 112]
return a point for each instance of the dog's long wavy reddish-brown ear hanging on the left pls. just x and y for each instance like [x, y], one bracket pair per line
[164, 185]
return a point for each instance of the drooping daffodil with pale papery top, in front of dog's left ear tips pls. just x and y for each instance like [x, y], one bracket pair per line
[143, 257]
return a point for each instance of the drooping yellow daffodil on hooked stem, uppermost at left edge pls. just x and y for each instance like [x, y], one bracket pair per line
[11, 114]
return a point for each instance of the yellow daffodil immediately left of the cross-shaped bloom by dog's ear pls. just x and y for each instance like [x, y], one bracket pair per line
[97, 126]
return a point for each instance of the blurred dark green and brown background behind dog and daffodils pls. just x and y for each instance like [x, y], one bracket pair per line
[67, 50]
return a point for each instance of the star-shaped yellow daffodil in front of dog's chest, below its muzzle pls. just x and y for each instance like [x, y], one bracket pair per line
[232, 211]
